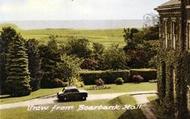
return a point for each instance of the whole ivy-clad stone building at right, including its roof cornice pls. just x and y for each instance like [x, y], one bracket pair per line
[174, 60]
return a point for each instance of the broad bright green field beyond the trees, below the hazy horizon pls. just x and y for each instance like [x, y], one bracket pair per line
[105, 37]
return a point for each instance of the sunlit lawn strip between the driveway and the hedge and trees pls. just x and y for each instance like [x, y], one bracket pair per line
[127, 87]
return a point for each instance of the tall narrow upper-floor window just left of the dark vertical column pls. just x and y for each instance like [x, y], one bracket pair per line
[174, 34]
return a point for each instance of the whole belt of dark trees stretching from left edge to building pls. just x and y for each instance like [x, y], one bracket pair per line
[27, 65]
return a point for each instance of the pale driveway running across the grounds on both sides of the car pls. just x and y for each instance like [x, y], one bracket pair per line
[53, 99]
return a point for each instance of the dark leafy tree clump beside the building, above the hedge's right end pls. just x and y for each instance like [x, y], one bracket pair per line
[138, 49]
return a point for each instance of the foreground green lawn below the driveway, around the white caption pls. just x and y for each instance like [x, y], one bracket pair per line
[95, 114]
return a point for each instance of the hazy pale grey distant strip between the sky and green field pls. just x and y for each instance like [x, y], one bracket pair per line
[79, 24]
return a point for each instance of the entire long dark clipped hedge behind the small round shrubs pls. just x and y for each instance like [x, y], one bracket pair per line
[109, 77]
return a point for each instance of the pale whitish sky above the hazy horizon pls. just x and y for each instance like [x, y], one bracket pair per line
[20, 10]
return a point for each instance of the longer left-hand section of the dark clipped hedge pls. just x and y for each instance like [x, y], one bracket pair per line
[108, 77]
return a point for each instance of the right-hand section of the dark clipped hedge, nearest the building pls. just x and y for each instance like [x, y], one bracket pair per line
[147, 74]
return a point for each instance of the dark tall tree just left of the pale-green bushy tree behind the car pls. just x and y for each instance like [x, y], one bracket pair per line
[50, 56]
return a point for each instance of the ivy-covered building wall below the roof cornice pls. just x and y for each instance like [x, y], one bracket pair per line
[174, 66]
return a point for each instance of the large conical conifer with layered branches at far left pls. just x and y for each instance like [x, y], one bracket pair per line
[18, 78]
